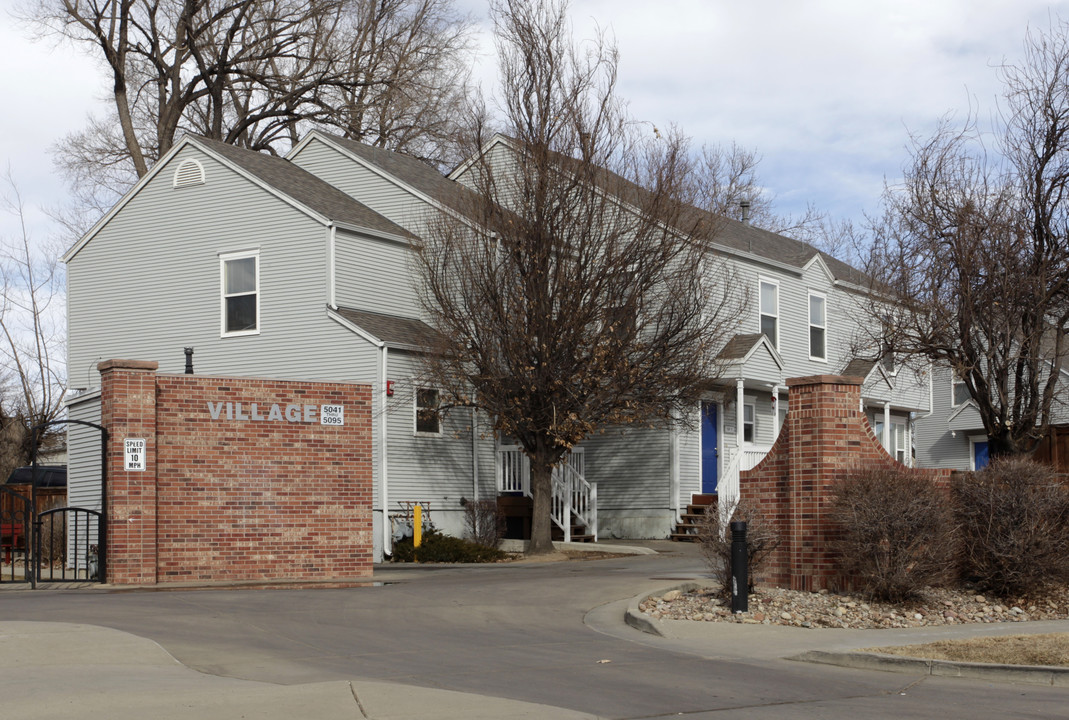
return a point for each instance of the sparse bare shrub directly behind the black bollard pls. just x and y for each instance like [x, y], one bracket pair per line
[763, 539]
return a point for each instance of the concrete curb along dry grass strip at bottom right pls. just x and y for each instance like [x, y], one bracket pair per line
[1002, 674]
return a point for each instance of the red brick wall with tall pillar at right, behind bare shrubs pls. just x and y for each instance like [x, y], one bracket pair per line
[826, 437]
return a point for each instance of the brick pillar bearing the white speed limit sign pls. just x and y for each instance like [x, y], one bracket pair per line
[129, 411]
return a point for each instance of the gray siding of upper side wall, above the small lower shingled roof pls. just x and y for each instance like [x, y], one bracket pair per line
[375, 275]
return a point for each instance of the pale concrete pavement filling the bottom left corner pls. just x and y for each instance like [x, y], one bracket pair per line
[59, 670]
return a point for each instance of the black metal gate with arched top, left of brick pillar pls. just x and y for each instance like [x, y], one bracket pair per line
[63, 544]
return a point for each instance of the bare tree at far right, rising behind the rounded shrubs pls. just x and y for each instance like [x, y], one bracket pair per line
[974, 247]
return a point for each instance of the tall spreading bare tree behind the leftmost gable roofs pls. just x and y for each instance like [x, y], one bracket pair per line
[257, 73]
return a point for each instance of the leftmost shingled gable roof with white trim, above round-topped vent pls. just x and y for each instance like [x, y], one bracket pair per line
[306, 193]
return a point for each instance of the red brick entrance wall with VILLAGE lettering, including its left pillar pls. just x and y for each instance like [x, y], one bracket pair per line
[231, 492]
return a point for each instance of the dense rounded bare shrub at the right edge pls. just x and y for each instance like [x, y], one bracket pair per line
[1015, 522]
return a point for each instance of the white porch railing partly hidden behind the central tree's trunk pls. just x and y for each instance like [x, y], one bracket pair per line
[574, 496]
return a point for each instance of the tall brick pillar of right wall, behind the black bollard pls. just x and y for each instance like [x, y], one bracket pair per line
[825, 434]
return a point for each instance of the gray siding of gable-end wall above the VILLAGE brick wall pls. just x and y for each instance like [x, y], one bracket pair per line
[149, 285]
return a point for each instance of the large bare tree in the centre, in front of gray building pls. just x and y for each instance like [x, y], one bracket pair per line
[580, 293]
